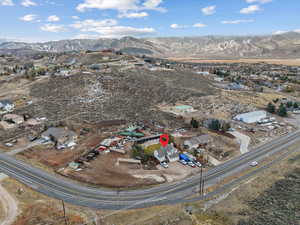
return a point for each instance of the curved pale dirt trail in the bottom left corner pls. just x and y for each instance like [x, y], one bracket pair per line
[10, 207]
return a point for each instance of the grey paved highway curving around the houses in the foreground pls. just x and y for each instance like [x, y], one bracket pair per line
[101, 198]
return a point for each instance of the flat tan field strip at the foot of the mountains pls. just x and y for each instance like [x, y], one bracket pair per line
[289, 62]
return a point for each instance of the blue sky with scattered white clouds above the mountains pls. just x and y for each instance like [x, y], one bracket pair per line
[43, 20]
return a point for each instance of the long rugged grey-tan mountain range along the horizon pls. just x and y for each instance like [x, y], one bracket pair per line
[285, 45]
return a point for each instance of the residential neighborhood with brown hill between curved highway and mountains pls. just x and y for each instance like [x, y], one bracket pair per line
[99, 123]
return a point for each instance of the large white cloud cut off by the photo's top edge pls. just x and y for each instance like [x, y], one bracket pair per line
[120, 5]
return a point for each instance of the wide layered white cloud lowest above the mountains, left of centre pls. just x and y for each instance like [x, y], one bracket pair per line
[109, 28]
